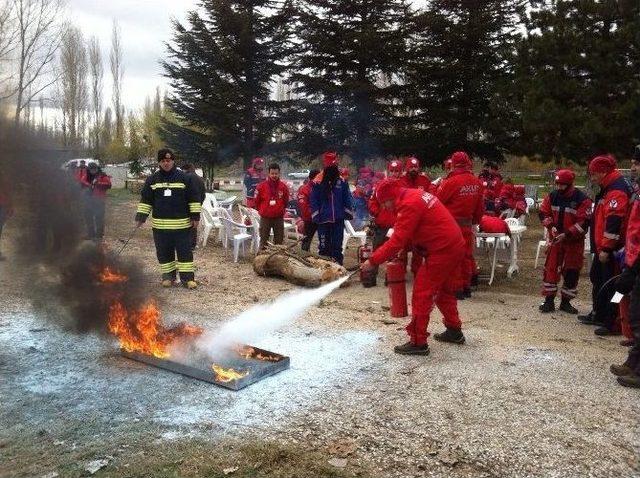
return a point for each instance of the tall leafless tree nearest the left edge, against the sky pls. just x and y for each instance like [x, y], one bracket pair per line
[38, 40]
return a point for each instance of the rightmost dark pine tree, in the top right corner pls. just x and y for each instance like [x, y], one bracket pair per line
[579, 74]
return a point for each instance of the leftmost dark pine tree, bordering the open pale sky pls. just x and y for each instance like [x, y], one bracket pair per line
[221, 65]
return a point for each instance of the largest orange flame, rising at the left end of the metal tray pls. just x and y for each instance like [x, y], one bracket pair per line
[141, 330]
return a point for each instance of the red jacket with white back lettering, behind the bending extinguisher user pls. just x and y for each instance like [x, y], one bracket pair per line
[461, 193]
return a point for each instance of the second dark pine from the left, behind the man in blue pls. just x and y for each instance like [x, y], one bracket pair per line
[345, 75]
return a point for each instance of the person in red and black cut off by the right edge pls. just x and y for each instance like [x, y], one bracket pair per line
[629, 283]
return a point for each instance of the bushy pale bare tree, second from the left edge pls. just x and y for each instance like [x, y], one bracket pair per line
[74, 92]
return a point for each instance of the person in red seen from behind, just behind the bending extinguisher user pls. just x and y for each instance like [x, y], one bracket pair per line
[461, 193]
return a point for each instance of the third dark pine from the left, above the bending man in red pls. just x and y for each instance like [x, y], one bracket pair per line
[460, 77]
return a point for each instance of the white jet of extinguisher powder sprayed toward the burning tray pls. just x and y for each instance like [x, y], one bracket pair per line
[263, 319]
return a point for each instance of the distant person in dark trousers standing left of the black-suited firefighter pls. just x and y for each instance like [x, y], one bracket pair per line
[96, 184]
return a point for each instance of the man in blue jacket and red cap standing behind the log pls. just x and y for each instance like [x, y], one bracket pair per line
[331, 204]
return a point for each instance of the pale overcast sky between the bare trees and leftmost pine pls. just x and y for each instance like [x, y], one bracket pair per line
[145, 26]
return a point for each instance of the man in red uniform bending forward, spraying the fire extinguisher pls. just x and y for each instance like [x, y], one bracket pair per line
[423, 221]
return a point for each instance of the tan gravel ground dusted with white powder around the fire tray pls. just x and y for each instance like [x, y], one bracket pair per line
[528, 395]
